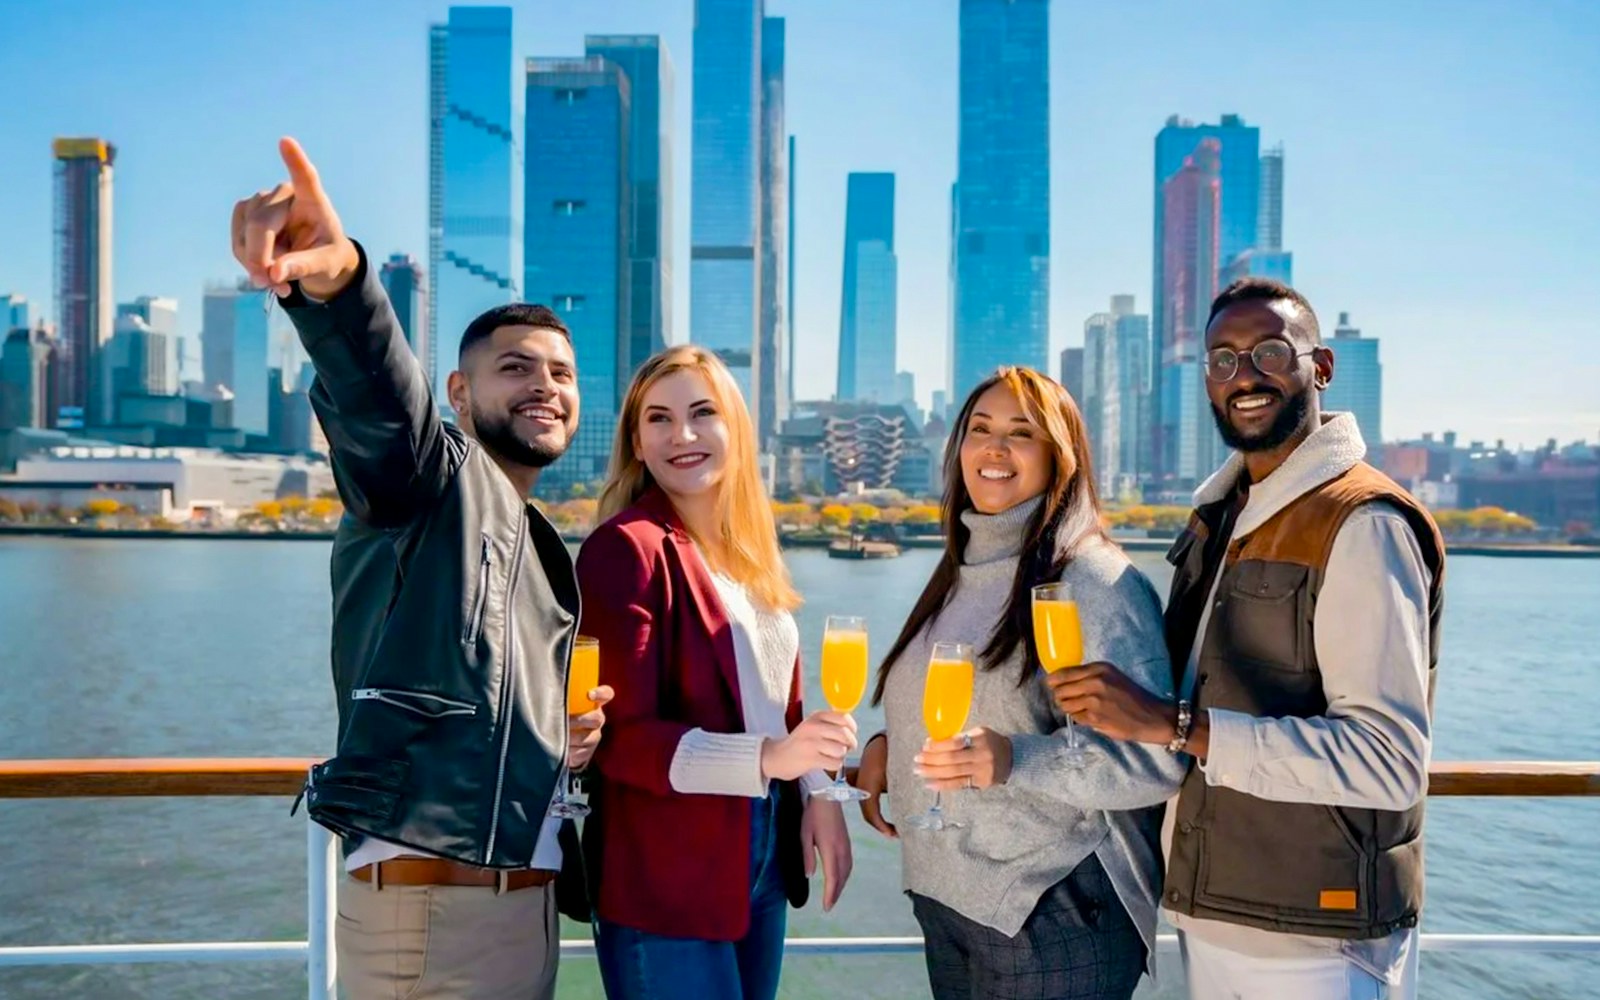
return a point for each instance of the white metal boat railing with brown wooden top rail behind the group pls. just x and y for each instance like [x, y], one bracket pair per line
[282, 777]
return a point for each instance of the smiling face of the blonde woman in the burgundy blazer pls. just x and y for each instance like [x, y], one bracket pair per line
[682, 436]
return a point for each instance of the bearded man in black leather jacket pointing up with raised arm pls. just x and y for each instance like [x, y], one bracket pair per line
[455, 609]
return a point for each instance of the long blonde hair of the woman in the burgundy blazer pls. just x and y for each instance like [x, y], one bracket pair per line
[748, 545]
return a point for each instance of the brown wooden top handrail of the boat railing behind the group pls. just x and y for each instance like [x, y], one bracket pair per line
[182, 777]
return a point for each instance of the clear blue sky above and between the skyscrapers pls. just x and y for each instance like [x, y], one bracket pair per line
[1442, 183]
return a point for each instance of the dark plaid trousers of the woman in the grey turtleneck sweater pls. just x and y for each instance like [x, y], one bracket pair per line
[1078, 945]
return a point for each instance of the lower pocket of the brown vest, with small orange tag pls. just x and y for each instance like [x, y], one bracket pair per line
[1281, 862]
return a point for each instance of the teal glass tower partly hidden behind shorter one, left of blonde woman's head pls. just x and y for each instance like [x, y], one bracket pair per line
[649, 70]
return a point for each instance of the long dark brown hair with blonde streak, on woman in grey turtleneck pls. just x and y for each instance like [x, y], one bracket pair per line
[1070, 516]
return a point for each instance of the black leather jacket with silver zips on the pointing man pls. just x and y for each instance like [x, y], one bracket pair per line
[454, 610]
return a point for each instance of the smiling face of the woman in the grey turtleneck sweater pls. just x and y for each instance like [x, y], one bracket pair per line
[1006, 458]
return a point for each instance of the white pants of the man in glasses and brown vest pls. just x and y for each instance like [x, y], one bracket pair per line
[1222, 975]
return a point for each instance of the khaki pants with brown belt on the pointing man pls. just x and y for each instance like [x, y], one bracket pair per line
[447, 943]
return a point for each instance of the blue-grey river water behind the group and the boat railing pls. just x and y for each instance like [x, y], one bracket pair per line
[215, 649]
